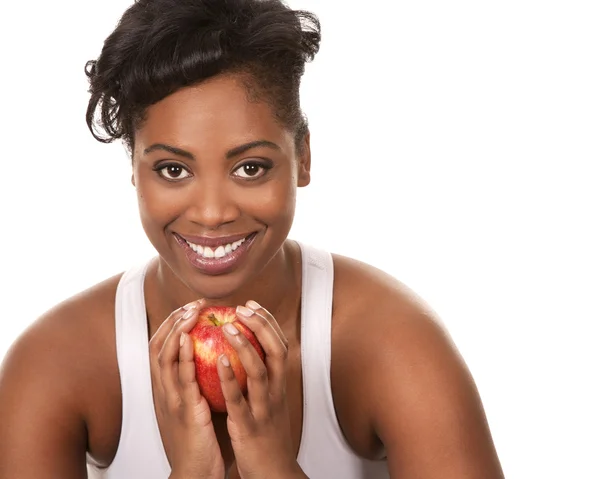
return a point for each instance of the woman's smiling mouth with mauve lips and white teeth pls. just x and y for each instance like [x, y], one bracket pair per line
[215, 256]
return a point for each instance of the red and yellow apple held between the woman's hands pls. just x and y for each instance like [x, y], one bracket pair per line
[209, 343]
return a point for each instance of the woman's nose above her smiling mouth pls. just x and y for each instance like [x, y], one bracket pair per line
[211, 204]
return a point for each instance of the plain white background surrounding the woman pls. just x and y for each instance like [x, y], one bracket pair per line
[456, 145]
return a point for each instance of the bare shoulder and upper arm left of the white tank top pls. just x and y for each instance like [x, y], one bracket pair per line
[56, 373]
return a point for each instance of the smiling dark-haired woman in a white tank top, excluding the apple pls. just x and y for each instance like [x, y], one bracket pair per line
[359, 380]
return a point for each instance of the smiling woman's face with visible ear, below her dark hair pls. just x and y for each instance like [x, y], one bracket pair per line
[216, 178]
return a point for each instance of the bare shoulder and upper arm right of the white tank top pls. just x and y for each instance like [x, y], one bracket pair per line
[413, 399]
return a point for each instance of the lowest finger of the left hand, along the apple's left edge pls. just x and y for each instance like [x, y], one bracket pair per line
[195, 404]
